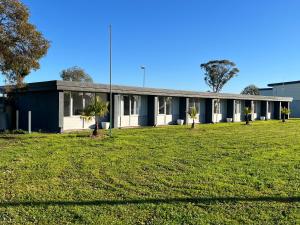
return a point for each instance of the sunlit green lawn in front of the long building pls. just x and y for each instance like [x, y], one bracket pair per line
[218, 174]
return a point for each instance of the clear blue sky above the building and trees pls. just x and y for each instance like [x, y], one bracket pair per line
[172, 38]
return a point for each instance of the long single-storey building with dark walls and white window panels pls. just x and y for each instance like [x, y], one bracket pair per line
[56, 106]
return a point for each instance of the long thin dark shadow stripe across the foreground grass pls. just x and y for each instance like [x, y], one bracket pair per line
[153, 201]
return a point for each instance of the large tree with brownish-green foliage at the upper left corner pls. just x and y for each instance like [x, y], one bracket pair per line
[21, 45]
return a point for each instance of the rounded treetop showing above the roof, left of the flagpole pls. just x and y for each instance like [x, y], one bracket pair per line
[76, 74]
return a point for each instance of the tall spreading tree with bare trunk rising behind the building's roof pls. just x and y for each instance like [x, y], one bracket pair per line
[218, 73]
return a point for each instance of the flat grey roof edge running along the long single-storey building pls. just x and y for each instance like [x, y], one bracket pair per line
[118, 89]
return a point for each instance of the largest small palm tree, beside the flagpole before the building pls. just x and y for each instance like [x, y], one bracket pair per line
[97, 109]
